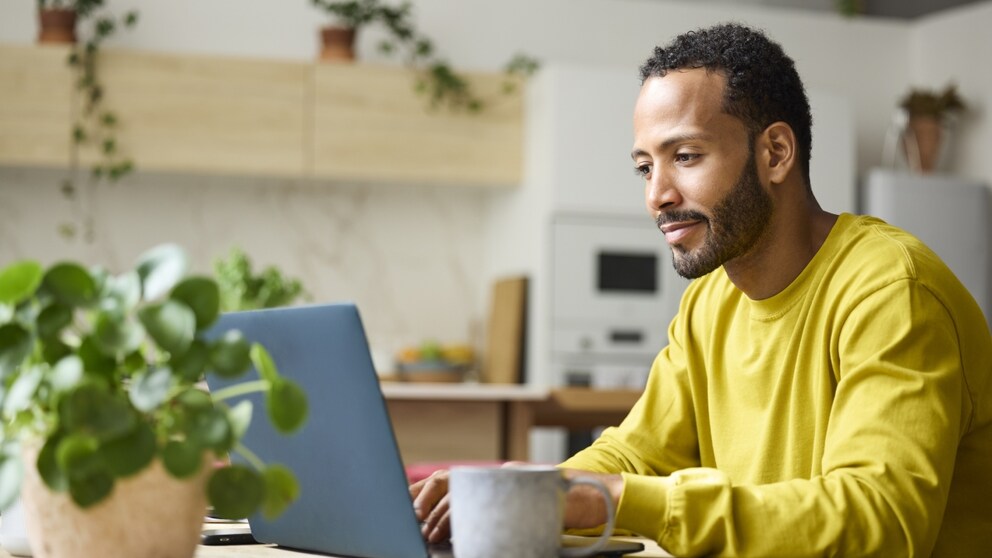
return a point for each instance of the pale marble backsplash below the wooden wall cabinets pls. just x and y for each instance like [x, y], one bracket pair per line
[408, 255]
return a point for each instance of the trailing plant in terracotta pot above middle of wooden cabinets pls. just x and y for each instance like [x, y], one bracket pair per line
[435, 78]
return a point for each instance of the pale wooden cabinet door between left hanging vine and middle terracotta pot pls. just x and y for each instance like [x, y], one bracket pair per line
[201, 114]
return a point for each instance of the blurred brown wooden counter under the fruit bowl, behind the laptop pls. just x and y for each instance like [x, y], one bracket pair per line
[488, 422]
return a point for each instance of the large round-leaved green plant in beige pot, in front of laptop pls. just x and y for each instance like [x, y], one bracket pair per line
[104, 414]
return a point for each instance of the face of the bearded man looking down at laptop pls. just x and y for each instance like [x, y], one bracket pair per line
[701, 180]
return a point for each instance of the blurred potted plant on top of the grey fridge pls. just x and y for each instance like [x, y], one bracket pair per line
[927, 119]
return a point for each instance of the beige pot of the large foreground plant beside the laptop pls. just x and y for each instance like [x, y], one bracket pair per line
[151, 514]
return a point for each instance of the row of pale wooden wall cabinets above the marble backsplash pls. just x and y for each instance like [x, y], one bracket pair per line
[221, 115]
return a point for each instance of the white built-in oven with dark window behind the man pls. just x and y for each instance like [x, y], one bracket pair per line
[614, 294]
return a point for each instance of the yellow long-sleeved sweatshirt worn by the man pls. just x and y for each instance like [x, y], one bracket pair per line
[848, 415]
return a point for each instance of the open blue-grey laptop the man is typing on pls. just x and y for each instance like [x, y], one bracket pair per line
[354, 497]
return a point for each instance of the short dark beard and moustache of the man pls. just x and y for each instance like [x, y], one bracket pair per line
[738, 222]
